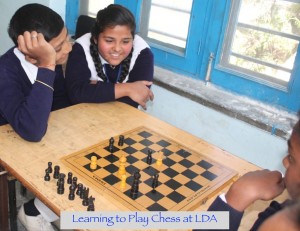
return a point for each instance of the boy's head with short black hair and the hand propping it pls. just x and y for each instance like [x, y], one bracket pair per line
[39, 33]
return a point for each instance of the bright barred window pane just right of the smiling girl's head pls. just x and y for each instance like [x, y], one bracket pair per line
[165, 32]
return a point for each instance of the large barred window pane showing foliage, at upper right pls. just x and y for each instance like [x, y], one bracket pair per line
[263, 42]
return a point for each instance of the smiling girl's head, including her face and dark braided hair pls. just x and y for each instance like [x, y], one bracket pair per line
[112, 38]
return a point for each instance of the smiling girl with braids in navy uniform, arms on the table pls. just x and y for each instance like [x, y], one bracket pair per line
[111, 63]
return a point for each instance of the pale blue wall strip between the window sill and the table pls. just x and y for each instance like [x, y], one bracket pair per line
[235, 136]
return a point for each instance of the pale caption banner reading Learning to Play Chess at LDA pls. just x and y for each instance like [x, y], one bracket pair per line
[144, 220]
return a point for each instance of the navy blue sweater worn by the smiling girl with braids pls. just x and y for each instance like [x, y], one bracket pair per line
[78, 77]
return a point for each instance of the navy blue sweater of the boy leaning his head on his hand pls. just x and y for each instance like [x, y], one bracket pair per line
[26, 106]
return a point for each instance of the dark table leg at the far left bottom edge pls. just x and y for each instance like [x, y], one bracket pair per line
[3, 200]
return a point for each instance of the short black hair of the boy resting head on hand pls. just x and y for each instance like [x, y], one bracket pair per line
[35, 17]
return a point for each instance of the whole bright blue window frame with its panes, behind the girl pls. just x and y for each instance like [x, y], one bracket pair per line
[249, 47]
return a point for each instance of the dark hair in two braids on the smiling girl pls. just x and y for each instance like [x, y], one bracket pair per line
[111, 16]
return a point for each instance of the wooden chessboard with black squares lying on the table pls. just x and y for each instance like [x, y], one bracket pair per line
[186, 178]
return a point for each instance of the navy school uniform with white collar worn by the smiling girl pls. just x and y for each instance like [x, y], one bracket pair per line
[80, 71]
